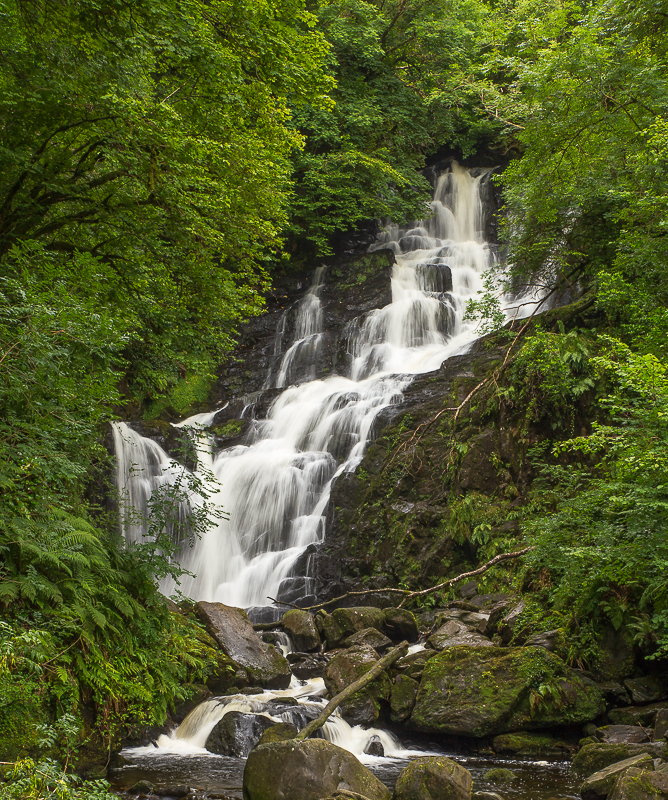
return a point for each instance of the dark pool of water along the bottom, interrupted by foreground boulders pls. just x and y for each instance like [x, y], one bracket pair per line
[220, 776]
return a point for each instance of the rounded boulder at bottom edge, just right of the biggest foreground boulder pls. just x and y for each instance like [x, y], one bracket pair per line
[435, 778]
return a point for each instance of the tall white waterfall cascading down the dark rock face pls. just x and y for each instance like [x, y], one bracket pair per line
[274, 488]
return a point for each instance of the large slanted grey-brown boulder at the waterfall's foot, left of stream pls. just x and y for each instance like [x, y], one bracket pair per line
[234, 634]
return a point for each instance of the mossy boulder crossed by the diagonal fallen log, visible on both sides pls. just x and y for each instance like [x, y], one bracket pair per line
[363, 708]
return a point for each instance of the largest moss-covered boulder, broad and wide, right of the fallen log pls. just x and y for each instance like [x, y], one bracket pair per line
[485, 691]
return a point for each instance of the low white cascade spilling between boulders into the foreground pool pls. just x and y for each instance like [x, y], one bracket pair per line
[190, 737]
